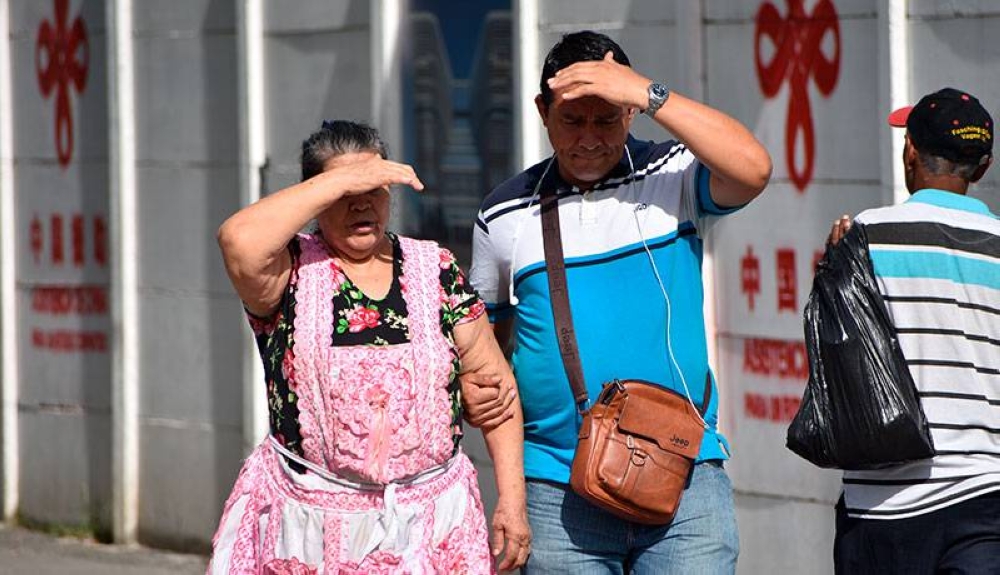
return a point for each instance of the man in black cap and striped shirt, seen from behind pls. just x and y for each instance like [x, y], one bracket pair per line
[936, 259]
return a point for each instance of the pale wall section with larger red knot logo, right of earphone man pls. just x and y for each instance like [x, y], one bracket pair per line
[781, 498]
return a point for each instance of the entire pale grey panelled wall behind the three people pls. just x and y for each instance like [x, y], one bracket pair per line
[318, 63]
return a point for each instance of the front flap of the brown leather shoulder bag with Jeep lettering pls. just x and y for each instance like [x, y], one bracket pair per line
[664, 417]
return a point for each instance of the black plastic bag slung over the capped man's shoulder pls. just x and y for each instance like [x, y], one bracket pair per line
[860, 409]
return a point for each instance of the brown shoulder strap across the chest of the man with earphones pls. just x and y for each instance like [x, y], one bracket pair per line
[559, 296]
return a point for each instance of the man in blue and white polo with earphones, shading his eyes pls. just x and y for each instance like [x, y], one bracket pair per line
[632, 217]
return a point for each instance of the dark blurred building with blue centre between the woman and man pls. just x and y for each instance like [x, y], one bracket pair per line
[461, 117]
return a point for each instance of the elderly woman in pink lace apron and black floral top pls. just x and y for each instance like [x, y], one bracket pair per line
[363, 334]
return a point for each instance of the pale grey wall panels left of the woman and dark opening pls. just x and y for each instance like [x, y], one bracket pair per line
[317, 60]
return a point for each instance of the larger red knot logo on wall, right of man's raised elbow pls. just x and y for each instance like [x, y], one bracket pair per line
[797, 57]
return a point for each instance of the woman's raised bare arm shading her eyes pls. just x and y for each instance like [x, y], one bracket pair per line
[254, 240]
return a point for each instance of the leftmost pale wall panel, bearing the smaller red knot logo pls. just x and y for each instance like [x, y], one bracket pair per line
[64, 405]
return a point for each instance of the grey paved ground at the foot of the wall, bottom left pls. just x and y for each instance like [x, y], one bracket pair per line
[25, 552]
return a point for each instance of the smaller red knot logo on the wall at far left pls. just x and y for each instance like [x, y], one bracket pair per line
[62, 55]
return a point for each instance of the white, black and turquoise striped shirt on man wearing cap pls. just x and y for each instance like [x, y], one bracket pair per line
[937, 262]
